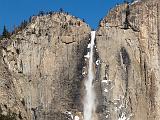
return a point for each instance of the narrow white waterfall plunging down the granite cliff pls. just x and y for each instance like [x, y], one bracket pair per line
[89, 100]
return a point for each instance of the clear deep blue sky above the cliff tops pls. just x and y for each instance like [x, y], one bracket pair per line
[12, 12]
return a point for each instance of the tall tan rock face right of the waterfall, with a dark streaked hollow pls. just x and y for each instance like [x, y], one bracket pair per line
[129, 71]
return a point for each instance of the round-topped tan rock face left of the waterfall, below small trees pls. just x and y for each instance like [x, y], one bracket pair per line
[44, 64]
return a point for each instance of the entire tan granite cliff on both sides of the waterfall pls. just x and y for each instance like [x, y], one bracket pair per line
[42, 67]
